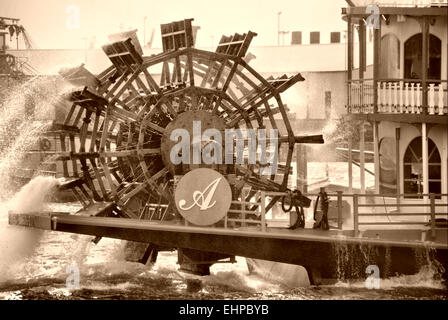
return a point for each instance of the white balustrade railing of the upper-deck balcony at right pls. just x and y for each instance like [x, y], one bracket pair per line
[397, 96]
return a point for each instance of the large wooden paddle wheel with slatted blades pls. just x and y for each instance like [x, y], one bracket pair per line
[115, 141]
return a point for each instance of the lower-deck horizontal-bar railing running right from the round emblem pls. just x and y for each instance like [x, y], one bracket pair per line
[253, 211]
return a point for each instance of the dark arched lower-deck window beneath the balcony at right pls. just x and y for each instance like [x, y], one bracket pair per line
[413, 168]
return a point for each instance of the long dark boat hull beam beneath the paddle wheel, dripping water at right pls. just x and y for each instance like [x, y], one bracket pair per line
[324, 254]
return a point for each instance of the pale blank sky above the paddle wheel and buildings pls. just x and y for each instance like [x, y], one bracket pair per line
[53, 24]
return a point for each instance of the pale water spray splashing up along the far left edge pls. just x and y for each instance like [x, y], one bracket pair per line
[23, 119]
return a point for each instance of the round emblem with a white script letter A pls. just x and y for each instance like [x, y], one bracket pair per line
[203, 196]
